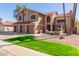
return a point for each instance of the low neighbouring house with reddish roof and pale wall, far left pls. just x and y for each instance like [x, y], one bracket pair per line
[6, 26]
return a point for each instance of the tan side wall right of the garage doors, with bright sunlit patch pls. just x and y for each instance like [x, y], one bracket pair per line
[40, 24]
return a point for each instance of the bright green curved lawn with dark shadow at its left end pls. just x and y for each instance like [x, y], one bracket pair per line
[51, 48]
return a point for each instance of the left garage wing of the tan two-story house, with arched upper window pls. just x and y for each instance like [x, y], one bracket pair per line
[29, 21]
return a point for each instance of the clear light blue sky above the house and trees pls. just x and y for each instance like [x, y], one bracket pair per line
[7, 14]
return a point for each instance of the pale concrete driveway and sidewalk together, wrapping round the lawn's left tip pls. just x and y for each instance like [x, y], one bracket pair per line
[9, 49]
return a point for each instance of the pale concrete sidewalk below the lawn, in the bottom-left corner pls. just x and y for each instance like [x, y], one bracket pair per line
[10, 49]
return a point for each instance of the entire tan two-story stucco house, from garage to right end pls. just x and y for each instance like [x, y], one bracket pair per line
[31, 21]
